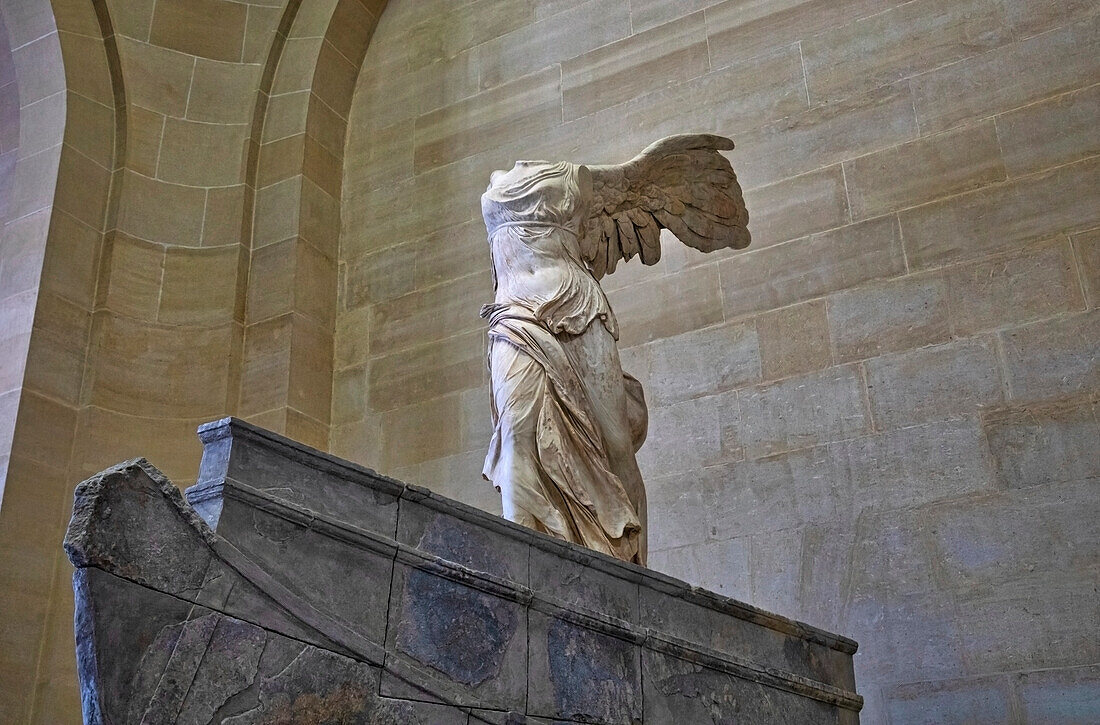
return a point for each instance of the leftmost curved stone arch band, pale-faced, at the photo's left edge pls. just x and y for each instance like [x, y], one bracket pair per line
[72, 123]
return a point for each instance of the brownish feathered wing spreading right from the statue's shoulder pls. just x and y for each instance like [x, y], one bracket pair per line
[681, 184]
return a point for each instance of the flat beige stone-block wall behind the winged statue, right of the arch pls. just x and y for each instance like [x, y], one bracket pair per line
[883, 418]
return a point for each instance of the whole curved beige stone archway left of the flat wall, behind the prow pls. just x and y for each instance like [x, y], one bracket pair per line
[170, 260]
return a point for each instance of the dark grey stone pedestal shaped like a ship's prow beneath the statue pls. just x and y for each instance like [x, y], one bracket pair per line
[300, 588]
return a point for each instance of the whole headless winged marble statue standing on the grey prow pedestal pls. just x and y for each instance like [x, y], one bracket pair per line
[568, 422]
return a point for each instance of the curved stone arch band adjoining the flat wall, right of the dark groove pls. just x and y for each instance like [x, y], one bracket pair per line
[295, 226]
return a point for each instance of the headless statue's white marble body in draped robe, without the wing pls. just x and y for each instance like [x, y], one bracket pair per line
[567, 420]
